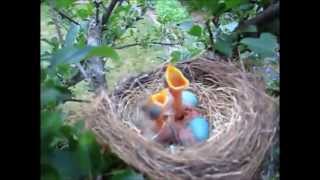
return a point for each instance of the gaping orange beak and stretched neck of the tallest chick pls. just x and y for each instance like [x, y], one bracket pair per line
[177, 83]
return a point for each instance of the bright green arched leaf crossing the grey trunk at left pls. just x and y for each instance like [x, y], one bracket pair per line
[104, 51]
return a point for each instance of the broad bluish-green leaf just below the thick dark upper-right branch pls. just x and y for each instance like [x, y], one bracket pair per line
[265, 46]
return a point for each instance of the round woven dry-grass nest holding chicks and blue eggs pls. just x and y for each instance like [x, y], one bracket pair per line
[243, 123]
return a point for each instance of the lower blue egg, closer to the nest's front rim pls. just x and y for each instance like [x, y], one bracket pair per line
[200, 128]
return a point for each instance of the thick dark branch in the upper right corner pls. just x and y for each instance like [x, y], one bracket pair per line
[269, 14]
